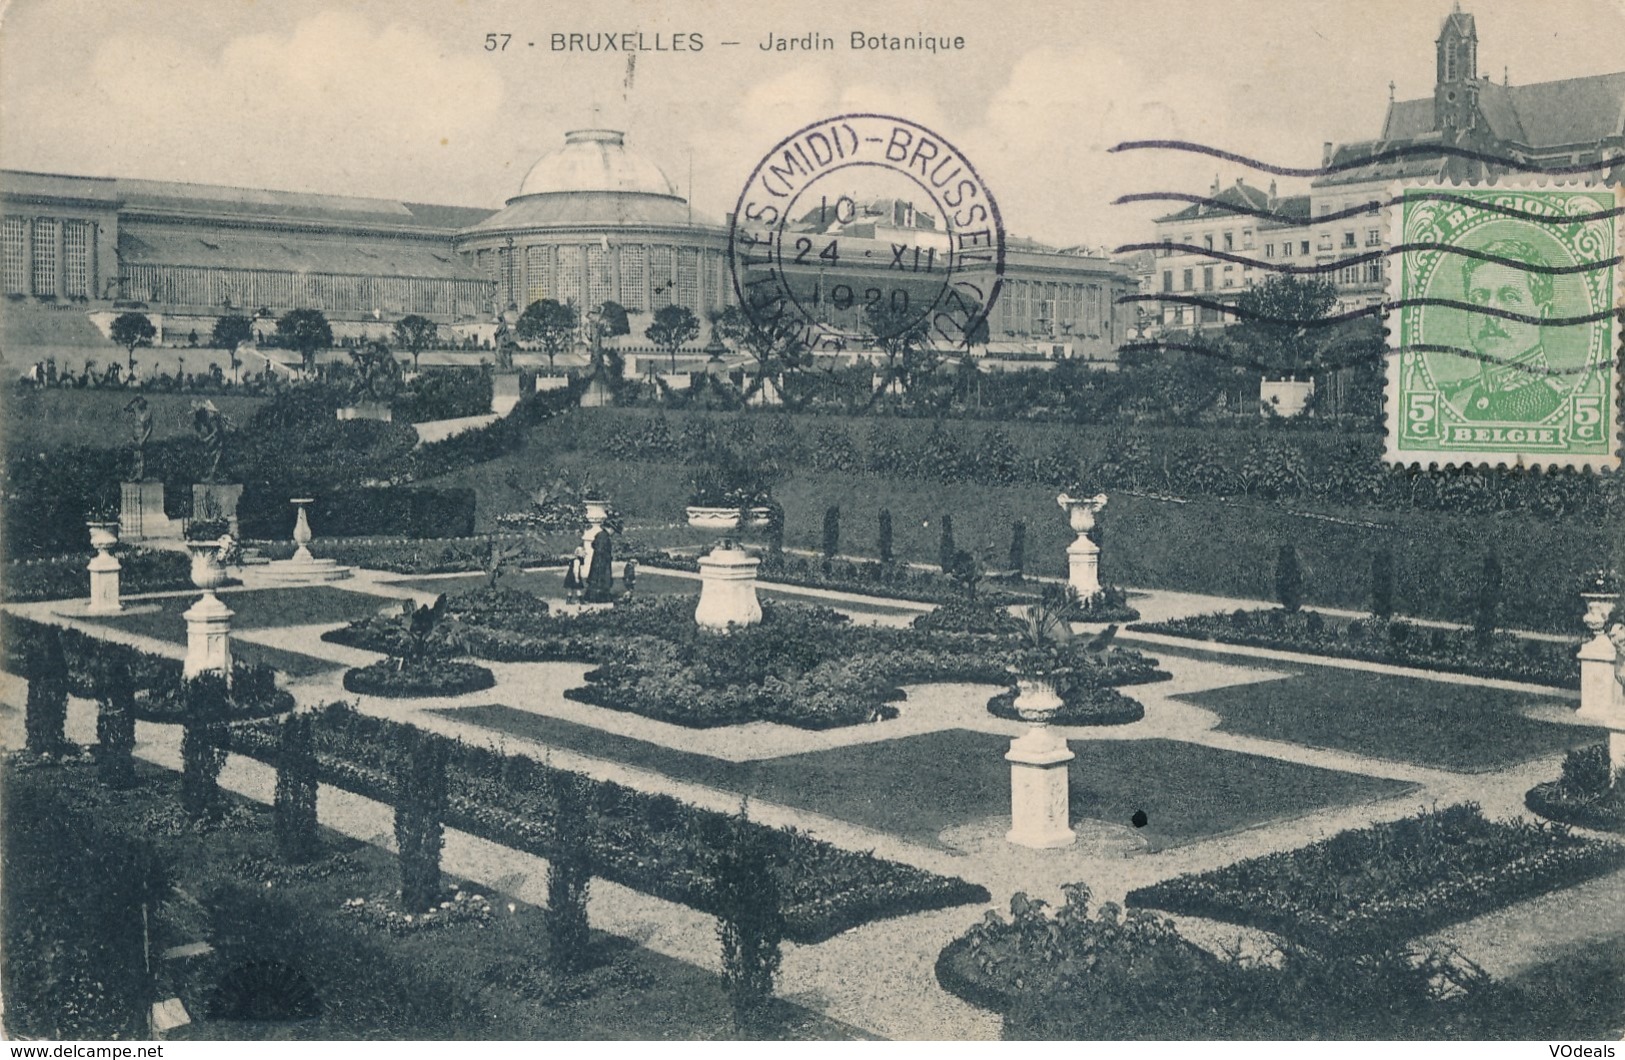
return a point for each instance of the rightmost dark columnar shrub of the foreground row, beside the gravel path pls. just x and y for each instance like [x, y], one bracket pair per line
[750, 923]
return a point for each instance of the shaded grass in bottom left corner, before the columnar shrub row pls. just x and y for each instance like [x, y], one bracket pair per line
[287, 929]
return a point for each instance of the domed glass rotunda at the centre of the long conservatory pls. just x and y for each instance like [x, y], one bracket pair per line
[596, 222]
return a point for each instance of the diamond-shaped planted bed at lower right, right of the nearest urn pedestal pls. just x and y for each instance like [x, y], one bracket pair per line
[1392, 882]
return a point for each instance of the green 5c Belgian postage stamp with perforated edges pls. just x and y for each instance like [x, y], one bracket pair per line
[1506, 355]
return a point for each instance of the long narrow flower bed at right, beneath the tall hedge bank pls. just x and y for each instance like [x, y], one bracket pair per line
[1392, 641]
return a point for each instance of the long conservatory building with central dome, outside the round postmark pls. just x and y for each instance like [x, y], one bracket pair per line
[592, 222]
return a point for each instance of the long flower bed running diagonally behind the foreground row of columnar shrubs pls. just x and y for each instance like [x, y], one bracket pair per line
[649, 843]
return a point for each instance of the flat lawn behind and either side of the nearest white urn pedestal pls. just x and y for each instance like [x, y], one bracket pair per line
[922, 786]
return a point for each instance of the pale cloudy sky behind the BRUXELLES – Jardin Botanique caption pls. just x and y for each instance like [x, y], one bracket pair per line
[402, 100]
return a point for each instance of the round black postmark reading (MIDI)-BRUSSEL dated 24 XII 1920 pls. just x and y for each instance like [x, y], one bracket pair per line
[867, 222]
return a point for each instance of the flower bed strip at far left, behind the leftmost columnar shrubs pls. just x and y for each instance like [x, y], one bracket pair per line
[154, 679]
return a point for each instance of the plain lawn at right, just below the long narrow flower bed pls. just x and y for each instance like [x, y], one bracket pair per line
[1437, 724]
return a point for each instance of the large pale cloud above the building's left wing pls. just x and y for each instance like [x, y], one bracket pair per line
[326, 105]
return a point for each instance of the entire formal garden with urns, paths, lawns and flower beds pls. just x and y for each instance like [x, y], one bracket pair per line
[753, 695]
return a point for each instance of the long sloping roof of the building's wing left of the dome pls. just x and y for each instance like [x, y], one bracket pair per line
[249, 250]
